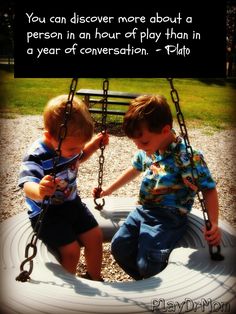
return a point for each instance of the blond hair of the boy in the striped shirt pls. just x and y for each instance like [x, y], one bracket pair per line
[80, 122]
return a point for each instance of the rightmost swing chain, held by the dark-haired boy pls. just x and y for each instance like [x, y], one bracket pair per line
[215, 255]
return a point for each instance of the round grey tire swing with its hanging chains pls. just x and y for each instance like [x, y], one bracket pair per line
[193, 281]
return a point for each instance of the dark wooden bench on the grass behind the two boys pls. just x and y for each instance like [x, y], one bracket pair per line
[94, 96]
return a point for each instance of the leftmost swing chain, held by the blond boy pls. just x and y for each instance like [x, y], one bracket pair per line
[25, 274]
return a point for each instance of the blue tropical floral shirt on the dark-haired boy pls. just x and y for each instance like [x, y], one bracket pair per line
[167, 180]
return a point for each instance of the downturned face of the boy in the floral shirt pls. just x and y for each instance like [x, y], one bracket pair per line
[151, 142]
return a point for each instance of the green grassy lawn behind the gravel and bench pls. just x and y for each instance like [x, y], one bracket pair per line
[208, 102]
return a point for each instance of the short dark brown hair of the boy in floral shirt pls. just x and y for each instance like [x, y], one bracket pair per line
[151, 111]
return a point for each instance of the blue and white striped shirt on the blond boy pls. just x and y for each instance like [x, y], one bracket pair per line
[37, 163]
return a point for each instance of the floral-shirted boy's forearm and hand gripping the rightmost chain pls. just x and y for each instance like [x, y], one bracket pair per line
[210, 196]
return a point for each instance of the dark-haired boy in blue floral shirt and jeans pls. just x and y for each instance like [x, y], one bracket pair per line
[143, 243]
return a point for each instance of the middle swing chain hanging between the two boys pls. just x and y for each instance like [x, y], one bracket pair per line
[99, 206]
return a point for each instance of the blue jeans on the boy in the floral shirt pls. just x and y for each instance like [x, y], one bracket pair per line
[143, 243]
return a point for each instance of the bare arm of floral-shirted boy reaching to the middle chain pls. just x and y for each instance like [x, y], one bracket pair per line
[129, 175]
